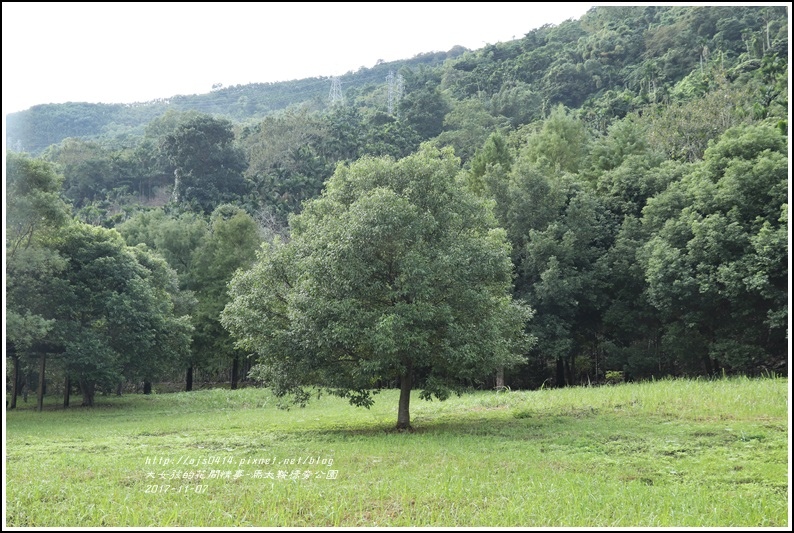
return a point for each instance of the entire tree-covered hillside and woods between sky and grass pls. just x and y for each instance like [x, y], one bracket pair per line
[632, 165]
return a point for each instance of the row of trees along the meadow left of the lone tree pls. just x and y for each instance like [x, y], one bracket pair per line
[110, 306]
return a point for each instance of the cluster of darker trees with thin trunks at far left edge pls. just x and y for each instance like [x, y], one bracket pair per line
[76, 293]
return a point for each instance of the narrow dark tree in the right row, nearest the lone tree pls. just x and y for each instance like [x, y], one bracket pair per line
[562, 275]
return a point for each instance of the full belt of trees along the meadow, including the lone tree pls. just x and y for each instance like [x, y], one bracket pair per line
[399, 270]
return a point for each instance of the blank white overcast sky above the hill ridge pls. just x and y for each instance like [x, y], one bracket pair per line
[134, 52]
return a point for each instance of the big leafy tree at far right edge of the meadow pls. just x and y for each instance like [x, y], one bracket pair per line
[716, 264]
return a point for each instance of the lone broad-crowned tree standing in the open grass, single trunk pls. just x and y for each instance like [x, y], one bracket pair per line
[395, 273]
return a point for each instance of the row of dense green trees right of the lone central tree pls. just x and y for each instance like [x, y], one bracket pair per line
[655, 266]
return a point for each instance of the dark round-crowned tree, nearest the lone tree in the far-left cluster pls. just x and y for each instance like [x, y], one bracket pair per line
[112, 310]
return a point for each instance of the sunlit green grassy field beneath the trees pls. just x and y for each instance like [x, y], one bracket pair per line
[668, 453]
